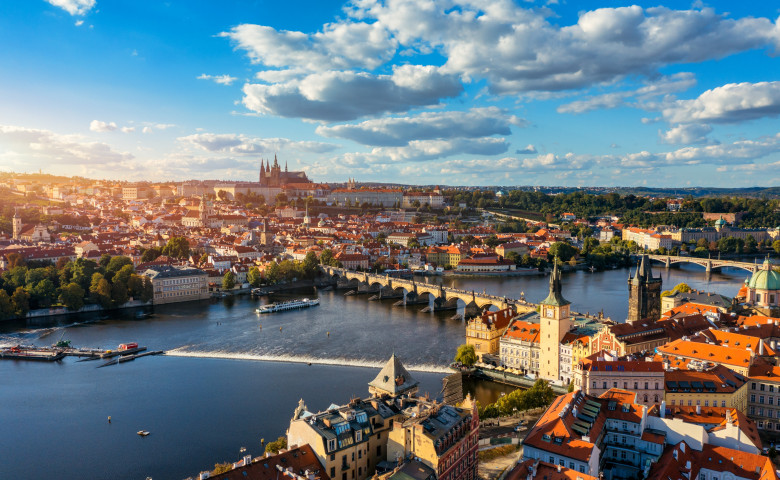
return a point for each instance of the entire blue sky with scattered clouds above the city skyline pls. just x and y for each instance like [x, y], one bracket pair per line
[453, 92]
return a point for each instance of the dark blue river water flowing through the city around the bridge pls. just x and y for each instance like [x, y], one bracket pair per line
[233, 377]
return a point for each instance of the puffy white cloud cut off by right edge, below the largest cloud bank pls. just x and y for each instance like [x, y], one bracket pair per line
[730, 103]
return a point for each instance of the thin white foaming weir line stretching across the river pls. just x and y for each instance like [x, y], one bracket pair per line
[347, 362]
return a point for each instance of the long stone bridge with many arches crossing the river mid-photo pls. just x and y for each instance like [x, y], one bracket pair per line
[444, 298]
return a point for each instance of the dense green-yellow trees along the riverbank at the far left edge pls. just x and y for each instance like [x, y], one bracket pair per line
[109, 282]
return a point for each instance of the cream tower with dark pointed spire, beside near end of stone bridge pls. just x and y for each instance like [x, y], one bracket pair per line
[555, 323]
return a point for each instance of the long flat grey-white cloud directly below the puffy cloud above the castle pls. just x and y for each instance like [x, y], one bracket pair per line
[398, 131]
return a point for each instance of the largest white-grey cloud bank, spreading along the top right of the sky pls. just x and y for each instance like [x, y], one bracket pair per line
[517, 50]
